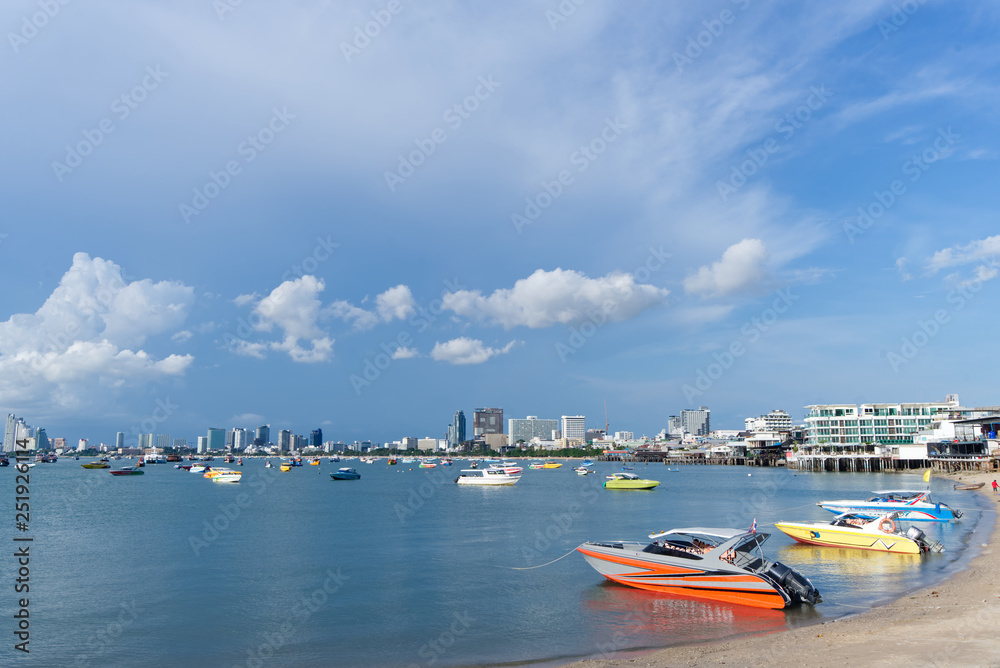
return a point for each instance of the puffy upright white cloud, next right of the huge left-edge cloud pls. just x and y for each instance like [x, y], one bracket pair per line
[293, 308]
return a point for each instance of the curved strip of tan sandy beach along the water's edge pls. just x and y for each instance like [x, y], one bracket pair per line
[951, 624]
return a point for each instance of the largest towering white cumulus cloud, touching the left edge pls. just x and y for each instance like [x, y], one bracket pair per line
[83, 338]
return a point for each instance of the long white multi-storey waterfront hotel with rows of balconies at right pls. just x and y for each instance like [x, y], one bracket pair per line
[847, 425]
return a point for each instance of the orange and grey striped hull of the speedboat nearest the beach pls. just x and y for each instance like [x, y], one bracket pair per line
[635, 568]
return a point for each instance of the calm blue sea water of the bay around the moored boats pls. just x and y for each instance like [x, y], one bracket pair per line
[405, 568]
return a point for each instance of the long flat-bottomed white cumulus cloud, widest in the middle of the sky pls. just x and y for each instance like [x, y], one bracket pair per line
[559, 296]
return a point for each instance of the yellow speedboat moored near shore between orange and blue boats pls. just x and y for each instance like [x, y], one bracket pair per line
[860, 532]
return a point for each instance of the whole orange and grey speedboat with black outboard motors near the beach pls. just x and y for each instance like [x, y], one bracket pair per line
[718, 564]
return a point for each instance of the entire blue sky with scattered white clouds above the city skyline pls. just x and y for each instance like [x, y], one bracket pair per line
[366, 216]
